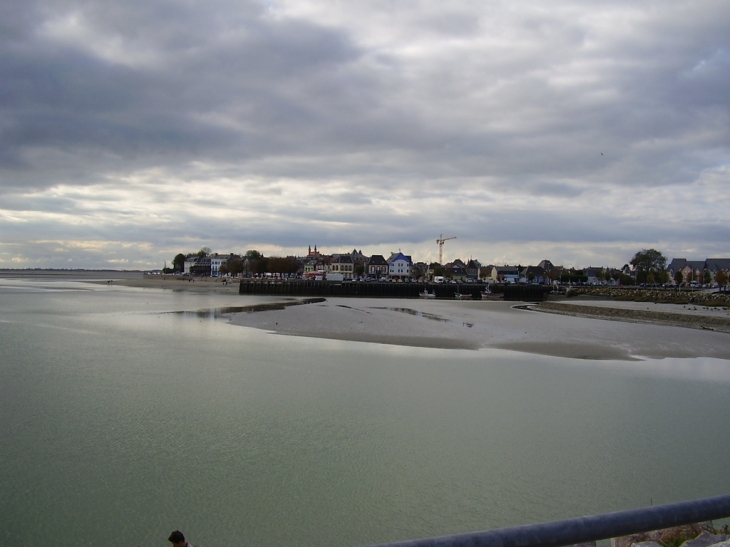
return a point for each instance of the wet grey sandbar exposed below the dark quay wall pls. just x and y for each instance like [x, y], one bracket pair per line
[474, 325]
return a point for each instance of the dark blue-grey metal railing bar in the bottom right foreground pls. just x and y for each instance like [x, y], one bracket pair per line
[585, 529]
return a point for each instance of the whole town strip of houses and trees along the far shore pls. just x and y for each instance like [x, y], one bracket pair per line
[648, 267]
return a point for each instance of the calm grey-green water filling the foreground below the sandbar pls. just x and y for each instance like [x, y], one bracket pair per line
[120, 422]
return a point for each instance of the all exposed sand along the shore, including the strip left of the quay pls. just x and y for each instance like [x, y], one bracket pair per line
[576, 329]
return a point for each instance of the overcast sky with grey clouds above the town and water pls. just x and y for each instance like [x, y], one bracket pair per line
[579, 132]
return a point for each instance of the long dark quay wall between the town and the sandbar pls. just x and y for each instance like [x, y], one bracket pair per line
[300, 287]
